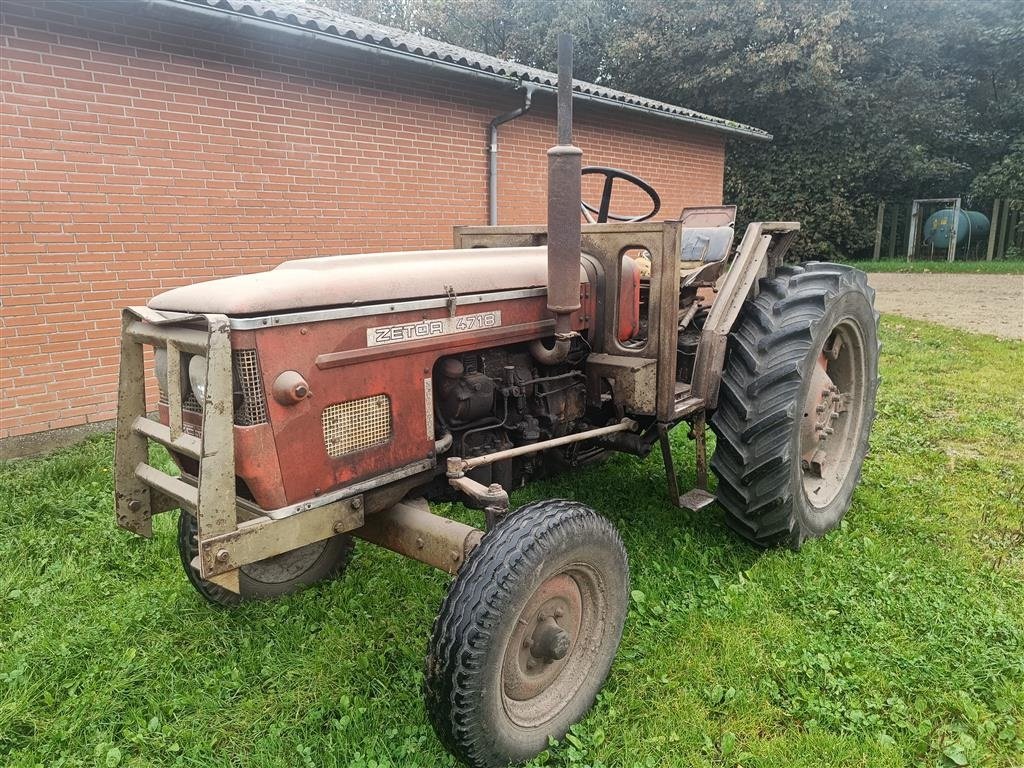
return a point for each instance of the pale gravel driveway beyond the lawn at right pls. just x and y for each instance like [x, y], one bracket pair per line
[980, 304]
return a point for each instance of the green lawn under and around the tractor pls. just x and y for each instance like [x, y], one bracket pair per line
[898, 641]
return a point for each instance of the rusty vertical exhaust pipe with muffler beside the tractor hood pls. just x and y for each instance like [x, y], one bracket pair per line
[565, 169]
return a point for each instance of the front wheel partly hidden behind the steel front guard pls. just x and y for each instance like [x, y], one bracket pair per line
[274, 577]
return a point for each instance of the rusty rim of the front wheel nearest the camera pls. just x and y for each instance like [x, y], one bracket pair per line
[554, 645]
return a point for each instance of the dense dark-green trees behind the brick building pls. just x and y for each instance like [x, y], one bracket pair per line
[869, 101]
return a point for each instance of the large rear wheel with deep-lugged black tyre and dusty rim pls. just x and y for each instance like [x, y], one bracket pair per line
[796, 405]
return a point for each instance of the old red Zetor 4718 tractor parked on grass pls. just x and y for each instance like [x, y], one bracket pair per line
[334, 398]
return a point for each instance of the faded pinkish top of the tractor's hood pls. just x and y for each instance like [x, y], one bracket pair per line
[364, 279]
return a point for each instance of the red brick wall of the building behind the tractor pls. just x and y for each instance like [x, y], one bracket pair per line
[138, 154]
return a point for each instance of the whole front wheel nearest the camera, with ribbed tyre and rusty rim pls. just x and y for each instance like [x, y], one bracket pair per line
[527, 634]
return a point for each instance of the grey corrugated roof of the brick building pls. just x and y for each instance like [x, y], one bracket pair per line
[345, 27]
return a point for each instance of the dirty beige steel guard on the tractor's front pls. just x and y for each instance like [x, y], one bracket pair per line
[233, 533]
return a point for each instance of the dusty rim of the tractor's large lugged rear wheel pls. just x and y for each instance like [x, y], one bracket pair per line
[833, 416]
